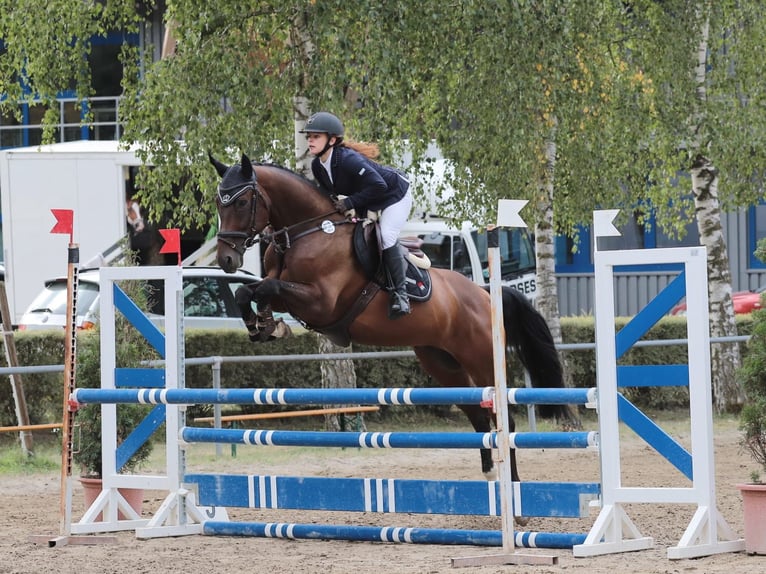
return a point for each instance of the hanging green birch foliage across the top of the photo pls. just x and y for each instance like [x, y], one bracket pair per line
[488, 81]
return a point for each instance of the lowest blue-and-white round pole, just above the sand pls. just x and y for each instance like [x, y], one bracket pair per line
[403, 535]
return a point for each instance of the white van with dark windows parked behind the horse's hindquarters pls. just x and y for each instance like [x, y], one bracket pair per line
[465, 251]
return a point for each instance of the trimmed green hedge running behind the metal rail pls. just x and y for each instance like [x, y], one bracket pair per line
[44, 400]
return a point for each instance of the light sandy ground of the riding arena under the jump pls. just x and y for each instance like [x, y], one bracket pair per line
[30, 506]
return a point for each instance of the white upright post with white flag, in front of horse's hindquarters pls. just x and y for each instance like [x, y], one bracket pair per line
[507, 216]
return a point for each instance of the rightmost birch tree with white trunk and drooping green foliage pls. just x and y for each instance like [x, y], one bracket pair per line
[704, 142]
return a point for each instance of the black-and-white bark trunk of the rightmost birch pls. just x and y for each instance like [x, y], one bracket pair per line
[727, 394]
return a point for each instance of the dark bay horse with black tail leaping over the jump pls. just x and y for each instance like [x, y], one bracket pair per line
[311, 271]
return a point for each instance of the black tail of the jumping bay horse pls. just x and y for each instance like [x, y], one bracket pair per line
[527, 334]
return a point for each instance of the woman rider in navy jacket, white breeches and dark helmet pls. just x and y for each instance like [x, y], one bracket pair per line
[347, 169]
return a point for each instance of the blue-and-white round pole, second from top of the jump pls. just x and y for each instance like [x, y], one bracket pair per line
[467, 440]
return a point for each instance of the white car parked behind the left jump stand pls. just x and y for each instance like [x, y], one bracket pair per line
[208, 301]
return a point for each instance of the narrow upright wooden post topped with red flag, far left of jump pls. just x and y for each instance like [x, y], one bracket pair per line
[65, 224]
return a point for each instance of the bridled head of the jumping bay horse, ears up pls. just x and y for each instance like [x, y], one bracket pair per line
[240, 218]
